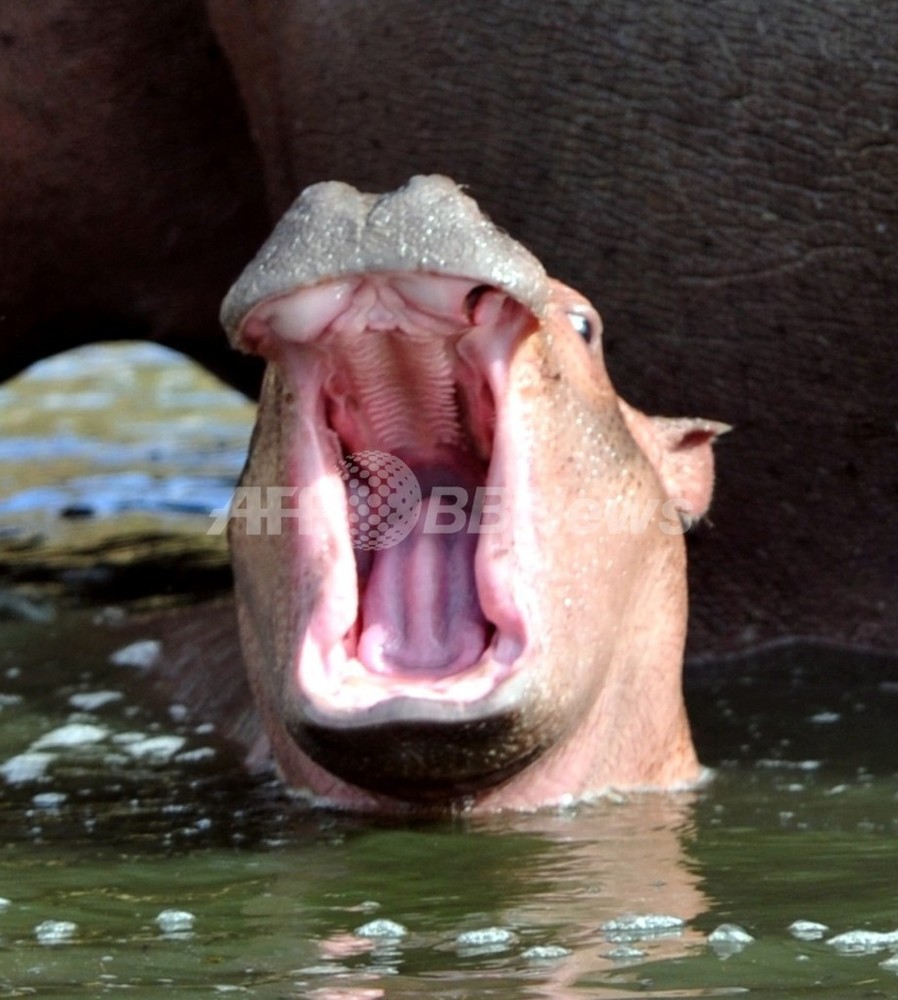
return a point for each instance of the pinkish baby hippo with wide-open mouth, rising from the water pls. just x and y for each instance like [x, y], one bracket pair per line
[533, 660]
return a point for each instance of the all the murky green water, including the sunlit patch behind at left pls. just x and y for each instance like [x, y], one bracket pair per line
[141, 810]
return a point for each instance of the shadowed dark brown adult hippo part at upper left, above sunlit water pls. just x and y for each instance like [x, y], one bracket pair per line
[128, 190]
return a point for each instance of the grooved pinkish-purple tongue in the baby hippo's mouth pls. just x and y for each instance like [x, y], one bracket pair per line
[420, 612]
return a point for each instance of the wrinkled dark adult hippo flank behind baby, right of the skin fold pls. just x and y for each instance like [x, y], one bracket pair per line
[722, 180]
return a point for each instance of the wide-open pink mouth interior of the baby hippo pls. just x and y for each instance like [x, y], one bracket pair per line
[404, 371]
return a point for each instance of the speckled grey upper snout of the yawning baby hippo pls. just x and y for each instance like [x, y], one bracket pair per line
[333, 229]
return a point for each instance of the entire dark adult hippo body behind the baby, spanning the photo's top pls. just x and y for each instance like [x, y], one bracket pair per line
[721, 180]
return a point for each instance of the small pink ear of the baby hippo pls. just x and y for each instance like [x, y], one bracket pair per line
[684, 461]
